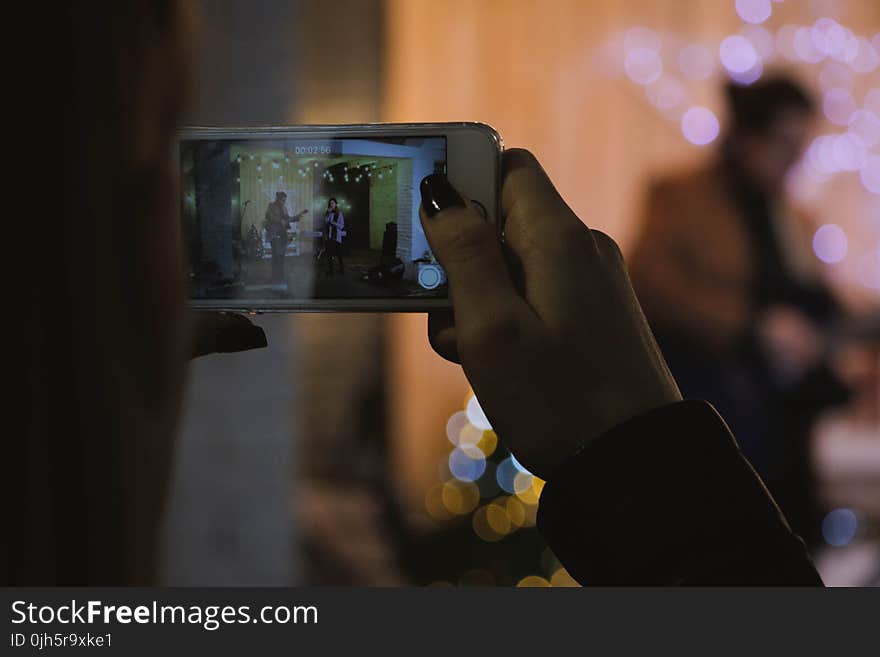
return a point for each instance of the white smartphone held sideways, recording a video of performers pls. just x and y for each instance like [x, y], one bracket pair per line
[298, 218]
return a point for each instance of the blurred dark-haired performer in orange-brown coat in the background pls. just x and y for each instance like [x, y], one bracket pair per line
[723, 268]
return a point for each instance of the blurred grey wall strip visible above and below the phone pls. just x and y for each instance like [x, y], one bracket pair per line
[228, 521]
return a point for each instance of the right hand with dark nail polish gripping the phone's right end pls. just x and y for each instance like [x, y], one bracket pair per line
[546, 325]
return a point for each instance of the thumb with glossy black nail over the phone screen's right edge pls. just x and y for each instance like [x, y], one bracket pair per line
[468, 247]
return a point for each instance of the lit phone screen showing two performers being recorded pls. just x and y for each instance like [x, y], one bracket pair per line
[303, 219]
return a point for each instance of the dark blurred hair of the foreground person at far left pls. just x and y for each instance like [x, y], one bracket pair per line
[108, 336]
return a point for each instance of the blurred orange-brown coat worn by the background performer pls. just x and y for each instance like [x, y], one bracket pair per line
[693, 265]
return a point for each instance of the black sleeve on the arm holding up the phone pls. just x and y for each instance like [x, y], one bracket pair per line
[667, 498]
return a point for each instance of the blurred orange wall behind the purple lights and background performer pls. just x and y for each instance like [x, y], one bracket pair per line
[549, 76]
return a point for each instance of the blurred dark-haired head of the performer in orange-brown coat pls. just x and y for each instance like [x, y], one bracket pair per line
[769, 124]
